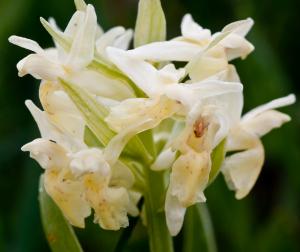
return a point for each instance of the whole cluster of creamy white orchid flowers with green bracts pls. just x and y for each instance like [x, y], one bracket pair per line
[110, 114]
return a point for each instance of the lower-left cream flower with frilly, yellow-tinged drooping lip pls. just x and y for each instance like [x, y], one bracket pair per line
[79, 178]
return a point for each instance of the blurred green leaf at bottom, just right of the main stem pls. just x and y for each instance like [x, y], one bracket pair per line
[198, 230]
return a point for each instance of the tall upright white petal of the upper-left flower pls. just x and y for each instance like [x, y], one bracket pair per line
[82, 50]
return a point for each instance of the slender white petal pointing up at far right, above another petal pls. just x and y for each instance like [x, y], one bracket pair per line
[277, 103]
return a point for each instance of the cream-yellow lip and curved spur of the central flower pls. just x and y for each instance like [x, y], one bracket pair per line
[132, 118]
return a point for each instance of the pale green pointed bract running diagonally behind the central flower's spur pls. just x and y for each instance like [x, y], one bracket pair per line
[94, 114]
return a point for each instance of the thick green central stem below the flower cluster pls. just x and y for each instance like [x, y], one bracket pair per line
[159, 236]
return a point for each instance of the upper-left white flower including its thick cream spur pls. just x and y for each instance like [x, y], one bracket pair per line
[54, 63]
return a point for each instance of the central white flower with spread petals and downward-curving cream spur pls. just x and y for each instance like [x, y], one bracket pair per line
[167, 96]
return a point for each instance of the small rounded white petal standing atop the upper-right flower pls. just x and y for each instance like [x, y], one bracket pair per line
[191, 30]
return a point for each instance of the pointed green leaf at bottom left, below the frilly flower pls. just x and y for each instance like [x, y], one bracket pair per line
[59, 233]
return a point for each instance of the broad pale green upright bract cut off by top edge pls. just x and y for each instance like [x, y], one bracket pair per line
[150, 24]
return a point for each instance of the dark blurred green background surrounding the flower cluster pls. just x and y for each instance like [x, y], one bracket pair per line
[267, 220]
